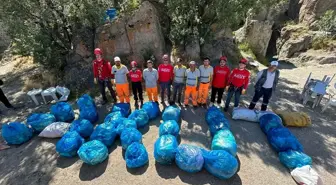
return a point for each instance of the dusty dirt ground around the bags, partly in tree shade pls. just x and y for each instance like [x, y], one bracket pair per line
[36, 161]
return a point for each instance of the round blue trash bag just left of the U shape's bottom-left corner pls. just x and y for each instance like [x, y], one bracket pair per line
[136, 155]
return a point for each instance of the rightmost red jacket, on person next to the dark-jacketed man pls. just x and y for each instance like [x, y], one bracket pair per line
[239, 78]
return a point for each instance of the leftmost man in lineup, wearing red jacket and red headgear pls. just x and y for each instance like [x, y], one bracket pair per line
[102, 75]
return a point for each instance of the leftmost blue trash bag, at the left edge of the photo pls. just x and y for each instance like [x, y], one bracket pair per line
[16, 133]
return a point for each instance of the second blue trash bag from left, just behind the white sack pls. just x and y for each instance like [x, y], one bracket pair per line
[40, 121]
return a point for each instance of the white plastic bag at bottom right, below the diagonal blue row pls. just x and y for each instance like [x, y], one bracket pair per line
[305, 175]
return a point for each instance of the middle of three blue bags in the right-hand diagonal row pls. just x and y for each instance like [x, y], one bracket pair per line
[282, 140]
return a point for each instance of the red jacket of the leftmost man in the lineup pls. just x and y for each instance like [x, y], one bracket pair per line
[102, 69]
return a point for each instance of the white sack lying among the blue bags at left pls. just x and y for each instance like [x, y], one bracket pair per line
[55, 130]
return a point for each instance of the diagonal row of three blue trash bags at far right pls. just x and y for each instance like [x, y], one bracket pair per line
[284, 142]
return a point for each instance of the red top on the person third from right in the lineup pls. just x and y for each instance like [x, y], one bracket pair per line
[221, 76]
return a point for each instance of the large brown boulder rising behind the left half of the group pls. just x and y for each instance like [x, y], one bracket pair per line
[135, 37]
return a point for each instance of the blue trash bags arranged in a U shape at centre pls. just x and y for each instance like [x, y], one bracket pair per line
[220, 161]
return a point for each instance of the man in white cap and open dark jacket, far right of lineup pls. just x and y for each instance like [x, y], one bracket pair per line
[267, 81]
